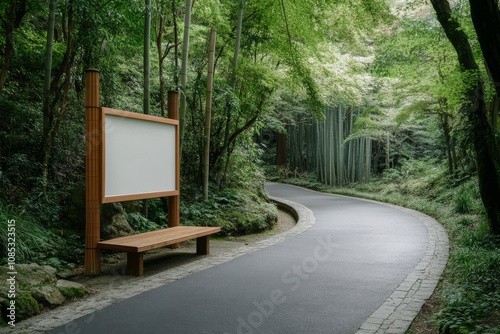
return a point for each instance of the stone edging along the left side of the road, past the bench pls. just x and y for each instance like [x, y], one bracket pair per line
[131, 286]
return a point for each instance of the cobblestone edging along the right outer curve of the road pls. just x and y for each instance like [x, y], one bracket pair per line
[396, 314]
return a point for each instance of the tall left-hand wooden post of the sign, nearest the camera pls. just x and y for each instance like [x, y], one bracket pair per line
[93, 145]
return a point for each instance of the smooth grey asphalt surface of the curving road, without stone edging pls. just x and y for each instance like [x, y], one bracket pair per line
[328, 279]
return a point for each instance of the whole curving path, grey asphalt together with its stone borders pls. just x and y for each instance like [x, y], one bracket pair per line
[350, 265]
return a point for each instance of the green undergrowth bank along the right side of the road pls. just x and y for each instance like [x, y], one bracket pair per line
[468, 295]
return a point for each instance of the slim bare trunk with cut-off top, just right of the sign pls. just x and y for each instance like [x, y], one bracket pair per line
[208, 112]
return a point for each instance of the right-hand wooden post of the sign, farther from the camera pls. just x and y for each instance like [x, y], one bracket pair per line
[174, 202]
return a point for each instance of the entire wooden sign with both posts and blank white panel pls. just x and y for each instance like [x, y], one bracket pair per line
[129, 156]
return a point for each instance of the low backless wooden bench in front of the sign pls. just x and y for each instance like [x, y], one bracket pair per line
[135, 245]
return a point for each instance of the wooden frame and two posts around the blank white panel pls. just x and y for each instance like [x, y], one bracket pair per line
[95, 145]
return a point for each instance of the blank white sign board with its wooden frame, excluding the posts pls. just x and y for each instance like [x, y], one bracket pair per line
[140, 157]
